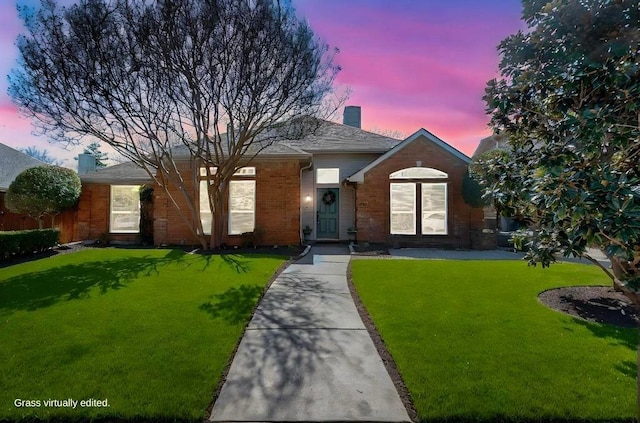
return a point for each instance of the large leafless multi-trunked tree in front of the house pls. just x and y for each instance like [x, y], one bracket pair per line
[214, 80]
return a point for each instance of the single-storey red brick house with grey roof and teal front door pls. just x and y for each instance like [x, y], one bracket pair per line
[340, 178]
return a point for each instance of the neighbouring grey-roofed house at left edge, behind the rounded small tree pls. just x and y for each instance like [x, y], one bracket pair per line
[12, 163]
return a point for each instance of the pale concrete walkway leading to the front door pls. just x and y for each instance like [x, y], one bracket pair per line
[306, 355]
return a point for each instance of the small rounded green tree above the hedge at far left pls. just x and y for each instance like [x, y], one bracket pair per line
[43, 190]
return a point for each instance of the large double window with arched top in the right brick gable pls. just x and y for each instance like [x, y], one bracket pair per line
[407, 197]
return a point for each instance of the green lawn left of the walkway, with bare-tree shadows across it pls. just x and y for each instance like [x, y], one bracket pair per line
[151, 331]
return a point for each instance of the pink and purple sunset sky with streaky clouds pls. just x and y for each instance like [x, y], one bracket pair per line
[409, 64]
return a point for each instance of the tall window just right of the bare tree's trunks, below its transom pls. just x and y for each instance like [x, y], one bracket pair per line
[242, 199]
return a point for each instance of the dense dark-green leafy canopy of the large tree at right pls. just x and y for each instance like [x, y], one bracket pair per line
[569, 100]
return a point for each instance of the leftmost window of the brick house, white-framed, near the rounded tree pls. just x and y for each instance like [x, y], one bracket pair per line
[124, 210]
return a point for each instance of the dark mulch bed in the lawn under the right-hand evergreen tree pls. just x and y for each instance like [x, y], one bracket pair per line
[599, 304]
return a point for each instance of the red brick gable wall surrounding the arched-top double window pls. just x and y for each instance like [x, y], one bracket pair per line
[372, 199]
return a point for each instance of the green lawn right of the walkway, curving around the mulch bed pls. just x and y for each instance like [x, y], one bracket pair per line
[472, 342]
